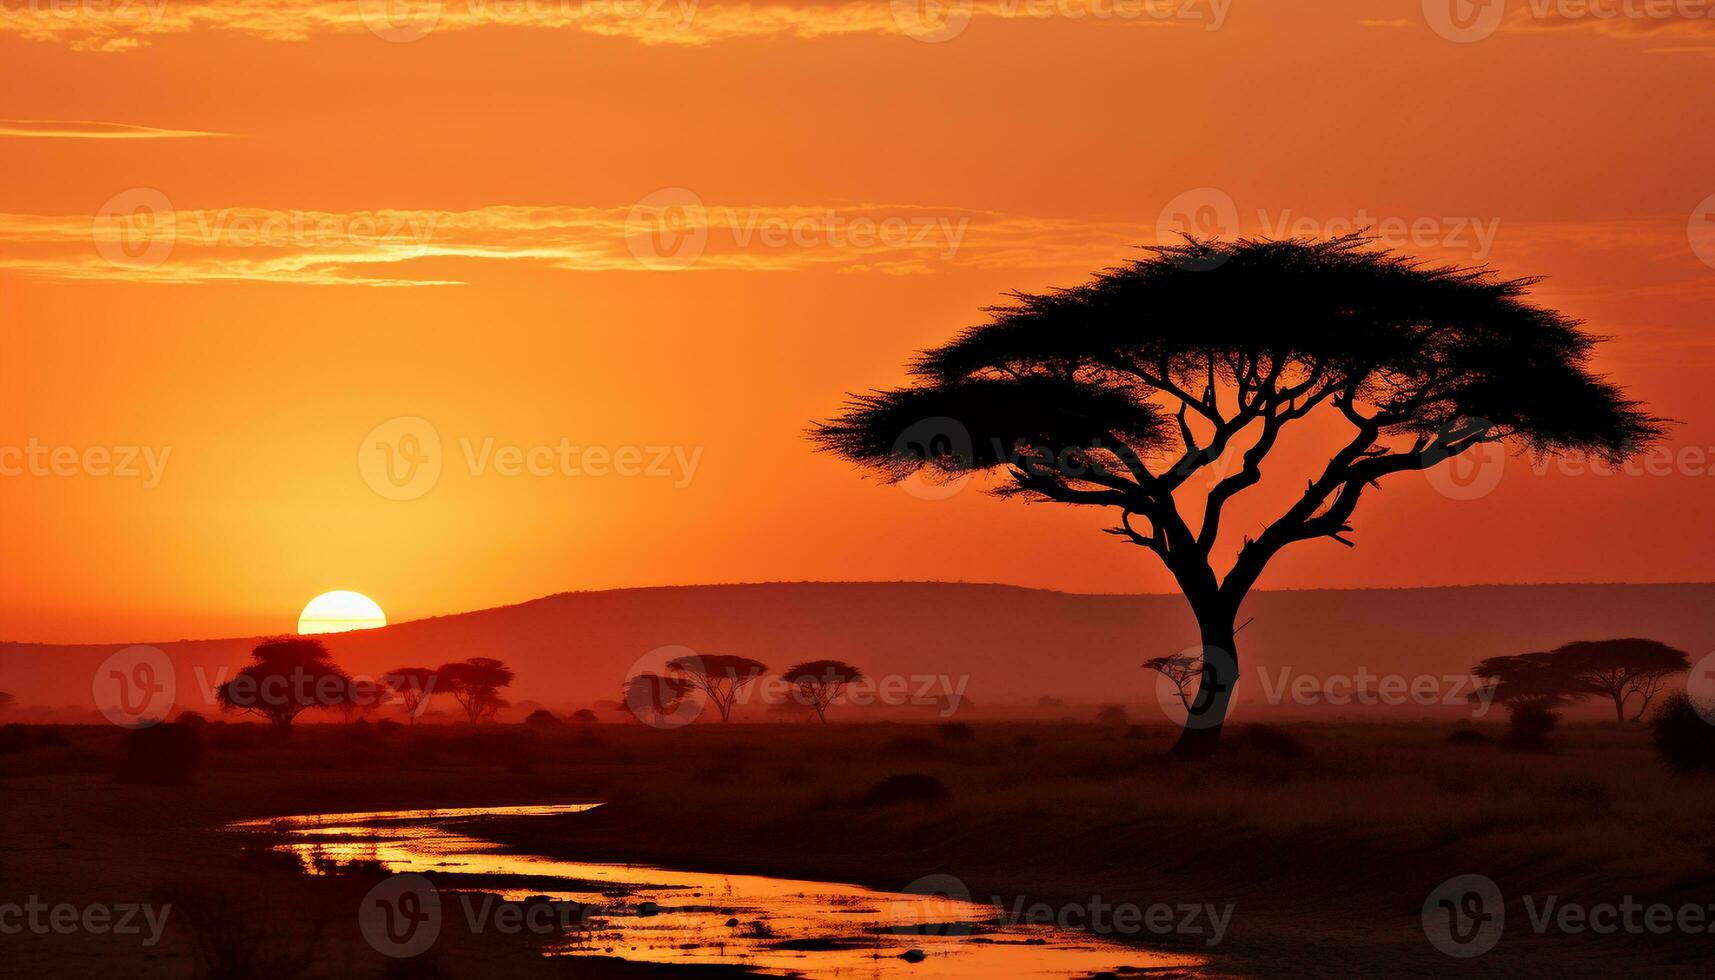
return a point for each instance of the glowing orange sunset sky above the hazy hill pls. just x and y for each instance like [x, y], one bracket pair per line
[445, 229]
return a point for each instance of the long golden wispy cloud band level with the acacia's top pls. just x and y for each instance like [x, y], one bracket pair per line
[143, 241]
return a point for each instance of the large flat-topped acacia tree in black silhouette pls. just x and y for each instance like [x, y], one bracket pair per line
[1196, 358]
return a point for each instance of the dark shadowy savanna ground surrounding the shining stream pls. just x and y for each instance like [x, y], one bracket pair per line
[1325, 840]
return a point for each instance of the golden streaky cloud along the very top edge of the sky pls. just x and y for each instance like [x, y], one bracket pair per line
[126, 25]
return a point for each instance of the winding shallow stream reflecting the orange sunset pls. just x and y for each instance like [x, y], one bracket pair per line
[663, 916]
